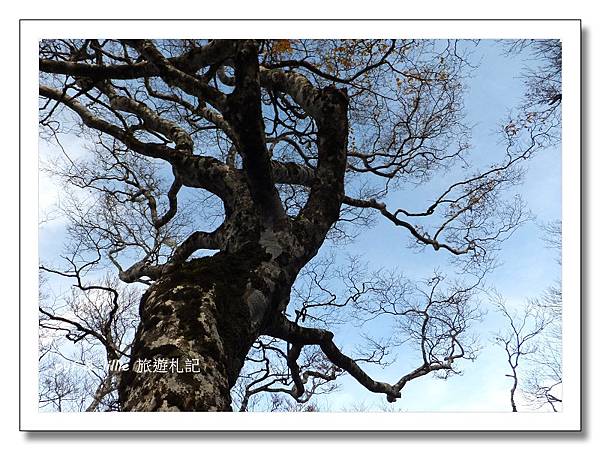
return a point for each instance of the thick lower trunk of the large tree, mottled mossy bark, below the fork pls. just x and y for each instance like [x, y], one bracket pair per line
[196, 326]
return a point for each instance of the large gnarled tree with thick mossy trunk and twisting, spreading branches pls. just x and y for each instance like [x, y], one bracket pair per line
[215, 172]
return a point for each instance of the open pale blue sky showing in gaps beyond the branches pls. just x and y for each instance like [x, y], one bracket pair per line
[528, 266]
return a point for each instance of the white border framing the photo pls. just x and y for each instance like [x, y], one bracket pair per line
[568, 31]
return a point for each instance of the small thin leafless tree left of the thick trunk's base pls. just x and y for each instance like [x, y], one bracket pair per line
[81, 335]
